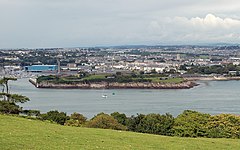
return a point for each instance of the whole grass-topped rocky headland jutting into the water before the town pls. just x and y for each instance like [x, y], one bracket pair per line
[112, 81]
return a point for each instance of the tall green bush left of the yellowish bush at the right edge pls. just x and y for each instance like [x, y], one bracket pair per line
[191, 124]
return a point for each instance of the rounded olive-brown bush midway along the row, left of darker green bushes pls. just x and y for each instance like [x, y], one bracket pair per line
[105, 121]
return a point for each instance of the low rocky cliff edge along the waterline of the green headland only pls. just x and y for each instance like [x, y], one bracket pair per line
[115, 85]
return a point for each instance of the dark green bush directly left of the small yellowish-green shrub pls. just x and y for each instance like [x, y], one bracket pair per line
[55, 116]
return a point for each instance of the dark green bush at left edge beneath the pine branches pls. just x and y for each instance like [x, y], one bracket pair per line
[7, 107]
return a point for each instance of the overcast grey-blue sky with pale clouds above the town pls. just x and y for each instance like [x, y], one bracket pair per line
[78, 23]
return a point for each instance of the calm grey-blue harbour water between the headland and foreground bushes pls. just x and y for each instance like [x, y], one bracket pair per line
[212, 97]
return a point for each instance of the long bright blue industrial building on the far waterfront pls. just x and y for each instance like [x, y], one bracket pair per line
[41, 68]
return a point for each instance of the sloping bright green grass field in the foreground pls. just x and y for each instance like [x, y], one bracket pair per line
[20, 133]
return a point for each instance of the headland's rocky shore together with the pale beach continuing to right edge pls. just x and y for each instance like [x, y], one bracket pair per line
[187, 84]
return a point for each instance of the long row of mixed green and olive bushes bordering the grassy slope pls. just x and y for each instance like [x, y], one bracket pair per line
[188, 124]
